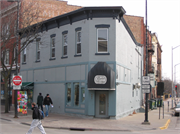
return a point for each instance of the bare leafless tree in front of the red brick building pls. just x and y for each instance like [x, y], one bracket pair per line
[28, 15]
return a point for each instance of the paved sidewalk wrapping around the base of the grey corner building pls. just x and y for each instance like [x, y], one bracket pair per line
[129, 123]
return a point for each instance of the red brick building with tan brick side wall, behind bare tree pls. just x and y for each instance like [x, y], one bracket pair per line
[31, 11]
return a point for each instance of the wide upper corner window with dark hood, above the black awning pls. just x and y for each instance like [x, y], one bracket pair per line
[102, 38]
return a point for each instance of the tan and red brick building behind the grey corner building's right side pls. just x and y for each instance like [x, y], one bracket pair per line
[138, 28]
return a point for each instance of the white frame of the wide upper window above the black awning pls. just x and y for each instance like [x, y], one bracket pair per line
[102, 40]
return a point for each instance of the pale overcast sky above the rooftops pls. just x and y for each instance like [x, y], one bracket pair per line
[163, 19]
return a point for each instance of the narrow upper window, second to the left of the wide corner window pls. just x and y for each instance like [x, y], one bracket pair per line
[65, 43]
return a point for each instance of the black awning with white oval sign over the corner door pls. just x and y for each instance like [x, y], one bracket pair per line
[101, 77]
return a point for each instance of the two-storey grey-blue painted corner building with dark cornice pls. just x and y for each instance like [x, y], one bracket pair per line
[88, 61]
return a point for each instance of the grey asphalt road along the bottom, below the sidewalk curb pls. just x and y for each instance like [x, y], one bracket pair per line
[8, 127]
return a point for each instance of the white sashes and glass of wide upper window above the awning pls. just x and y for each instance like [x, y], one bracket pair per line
[102, 43]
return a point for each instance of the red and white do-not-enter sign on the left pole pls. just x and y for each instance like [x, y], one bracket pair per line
[17, 82]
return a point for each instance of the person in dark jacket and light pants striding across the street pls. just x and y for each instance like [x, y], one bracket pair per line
[36, 120]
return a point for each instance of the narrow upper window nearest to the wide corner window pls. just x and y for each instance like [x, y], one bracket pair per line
[78, 41]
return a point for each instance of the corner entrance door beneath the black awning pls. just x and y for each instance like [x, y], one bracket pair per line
[101, 104]
